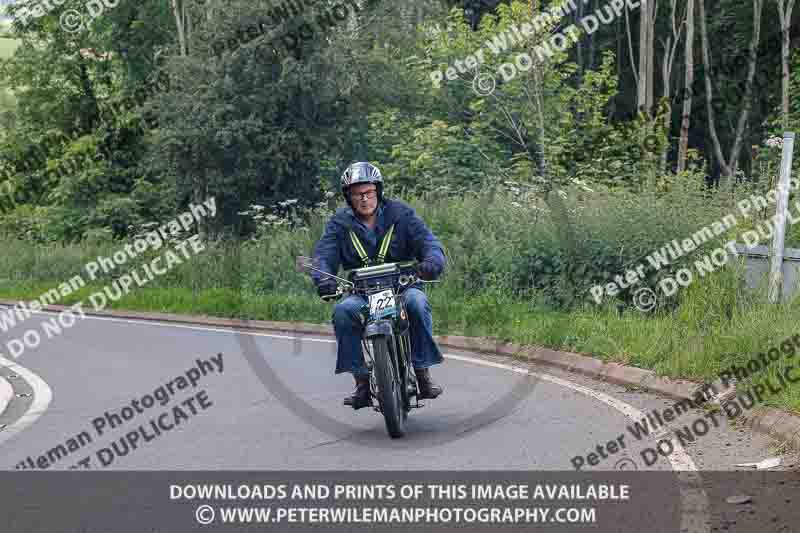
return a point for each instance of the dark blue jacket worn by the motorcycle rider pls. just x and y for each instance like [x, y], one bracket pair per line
[411, 240]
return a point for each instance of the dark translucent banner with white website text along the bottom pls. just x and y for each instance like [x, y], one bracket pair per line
[154, 502]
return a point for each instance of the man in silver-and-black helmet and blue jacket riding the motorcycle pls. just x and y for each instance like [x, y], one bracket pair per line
[373, 230]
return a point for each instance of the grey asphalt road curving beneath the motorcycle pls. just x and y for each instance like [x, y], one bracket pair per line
[290, 415]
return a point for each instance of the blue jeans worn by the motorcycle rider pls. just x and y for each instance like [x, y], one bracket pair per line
[348, 327]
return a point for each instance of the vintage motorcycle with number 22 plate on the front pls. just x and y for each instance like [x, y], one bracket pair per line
[386, 338]
